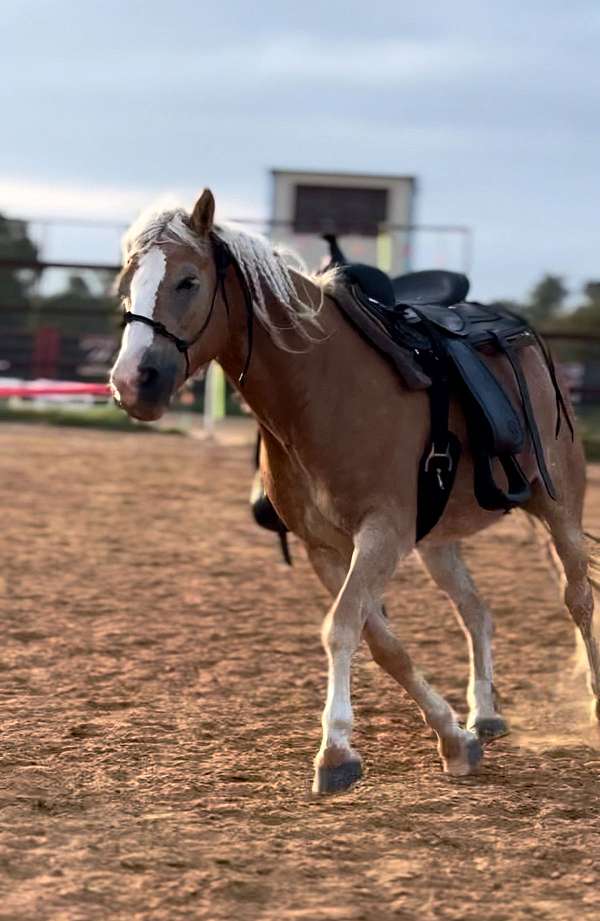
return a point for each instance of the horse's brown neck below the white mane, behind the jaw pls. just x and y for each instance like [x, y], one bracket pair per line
[281, 386]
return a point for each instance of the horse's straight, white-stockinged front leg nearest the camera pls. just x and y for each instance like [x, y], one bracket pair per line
[376, 552]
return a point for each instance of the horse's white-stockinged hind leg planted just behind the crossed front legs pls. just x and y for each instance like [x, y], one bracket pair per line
[448, 569]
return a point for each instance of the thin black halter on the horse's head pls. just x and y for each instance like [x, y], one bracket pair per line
[223, 259]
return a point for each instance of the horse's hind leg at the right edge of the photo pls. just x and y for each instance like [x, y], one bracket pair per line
[563, 521]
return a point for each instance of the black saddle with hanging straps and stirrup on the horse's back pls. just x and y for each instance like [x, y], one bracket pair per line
[438, 342]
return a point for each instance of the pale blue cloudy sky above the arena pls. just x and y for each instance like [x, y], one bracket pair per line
[494, 107]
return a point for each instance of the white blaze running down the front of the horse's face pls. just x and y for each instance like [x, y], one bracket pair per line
[137, 337]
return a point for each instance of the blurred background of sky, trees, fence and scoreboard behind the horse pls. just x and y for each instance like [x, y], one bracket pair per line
[462, 136]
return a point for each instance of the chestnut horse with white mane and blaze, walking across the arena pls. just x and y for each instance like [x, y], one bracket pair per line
[341, 440]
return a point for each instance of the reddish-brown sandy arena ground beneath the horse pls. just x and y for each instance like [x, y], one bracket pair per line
[162, 680]
